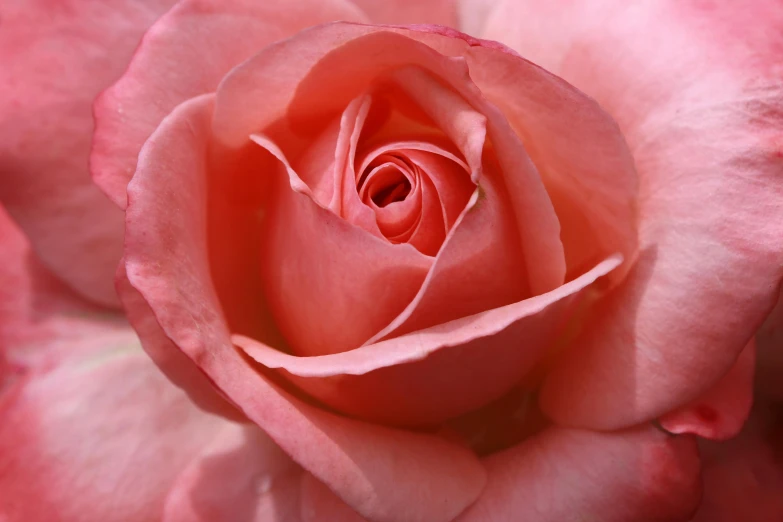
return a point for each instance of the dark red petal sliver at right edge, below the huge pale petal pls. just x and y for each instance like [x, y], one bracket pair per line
[769, 364]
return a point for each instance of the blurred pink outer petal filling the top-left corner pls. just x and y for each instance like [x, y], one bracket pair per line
[56, 58]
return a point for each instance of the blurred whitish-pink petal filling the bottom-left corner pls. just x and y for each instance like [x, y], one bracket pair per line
[102, 419]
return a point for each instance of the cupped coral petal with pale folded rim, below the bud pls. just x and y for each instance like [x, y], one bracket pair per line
[434, 374]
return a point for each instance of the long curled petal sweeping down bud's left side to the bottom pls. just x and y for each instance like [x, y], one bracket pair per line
[382, 473]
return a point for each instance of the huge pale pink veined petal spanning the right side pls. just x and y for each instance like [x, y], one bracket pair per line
[696, 89]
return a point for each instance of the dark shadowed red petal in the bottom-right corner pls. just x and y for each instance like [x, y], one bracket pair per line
[743, 477]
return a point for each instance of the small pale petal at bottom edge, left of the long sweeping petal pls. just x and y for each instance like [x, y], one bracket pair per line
[241, 475]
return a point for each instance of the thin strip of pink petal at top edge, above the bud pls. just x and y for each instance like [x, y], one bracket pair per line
[409, 11]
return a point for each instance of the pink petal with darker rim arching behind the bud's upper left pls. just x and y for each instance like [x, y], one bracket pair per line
[194, 31]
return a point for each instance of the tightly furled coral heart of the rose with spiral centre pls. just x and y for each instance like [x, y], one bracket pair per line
[393, 171]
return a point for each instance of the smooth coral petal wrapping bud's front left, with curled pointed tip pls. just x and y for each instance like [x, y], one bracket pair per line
[335, 269]
